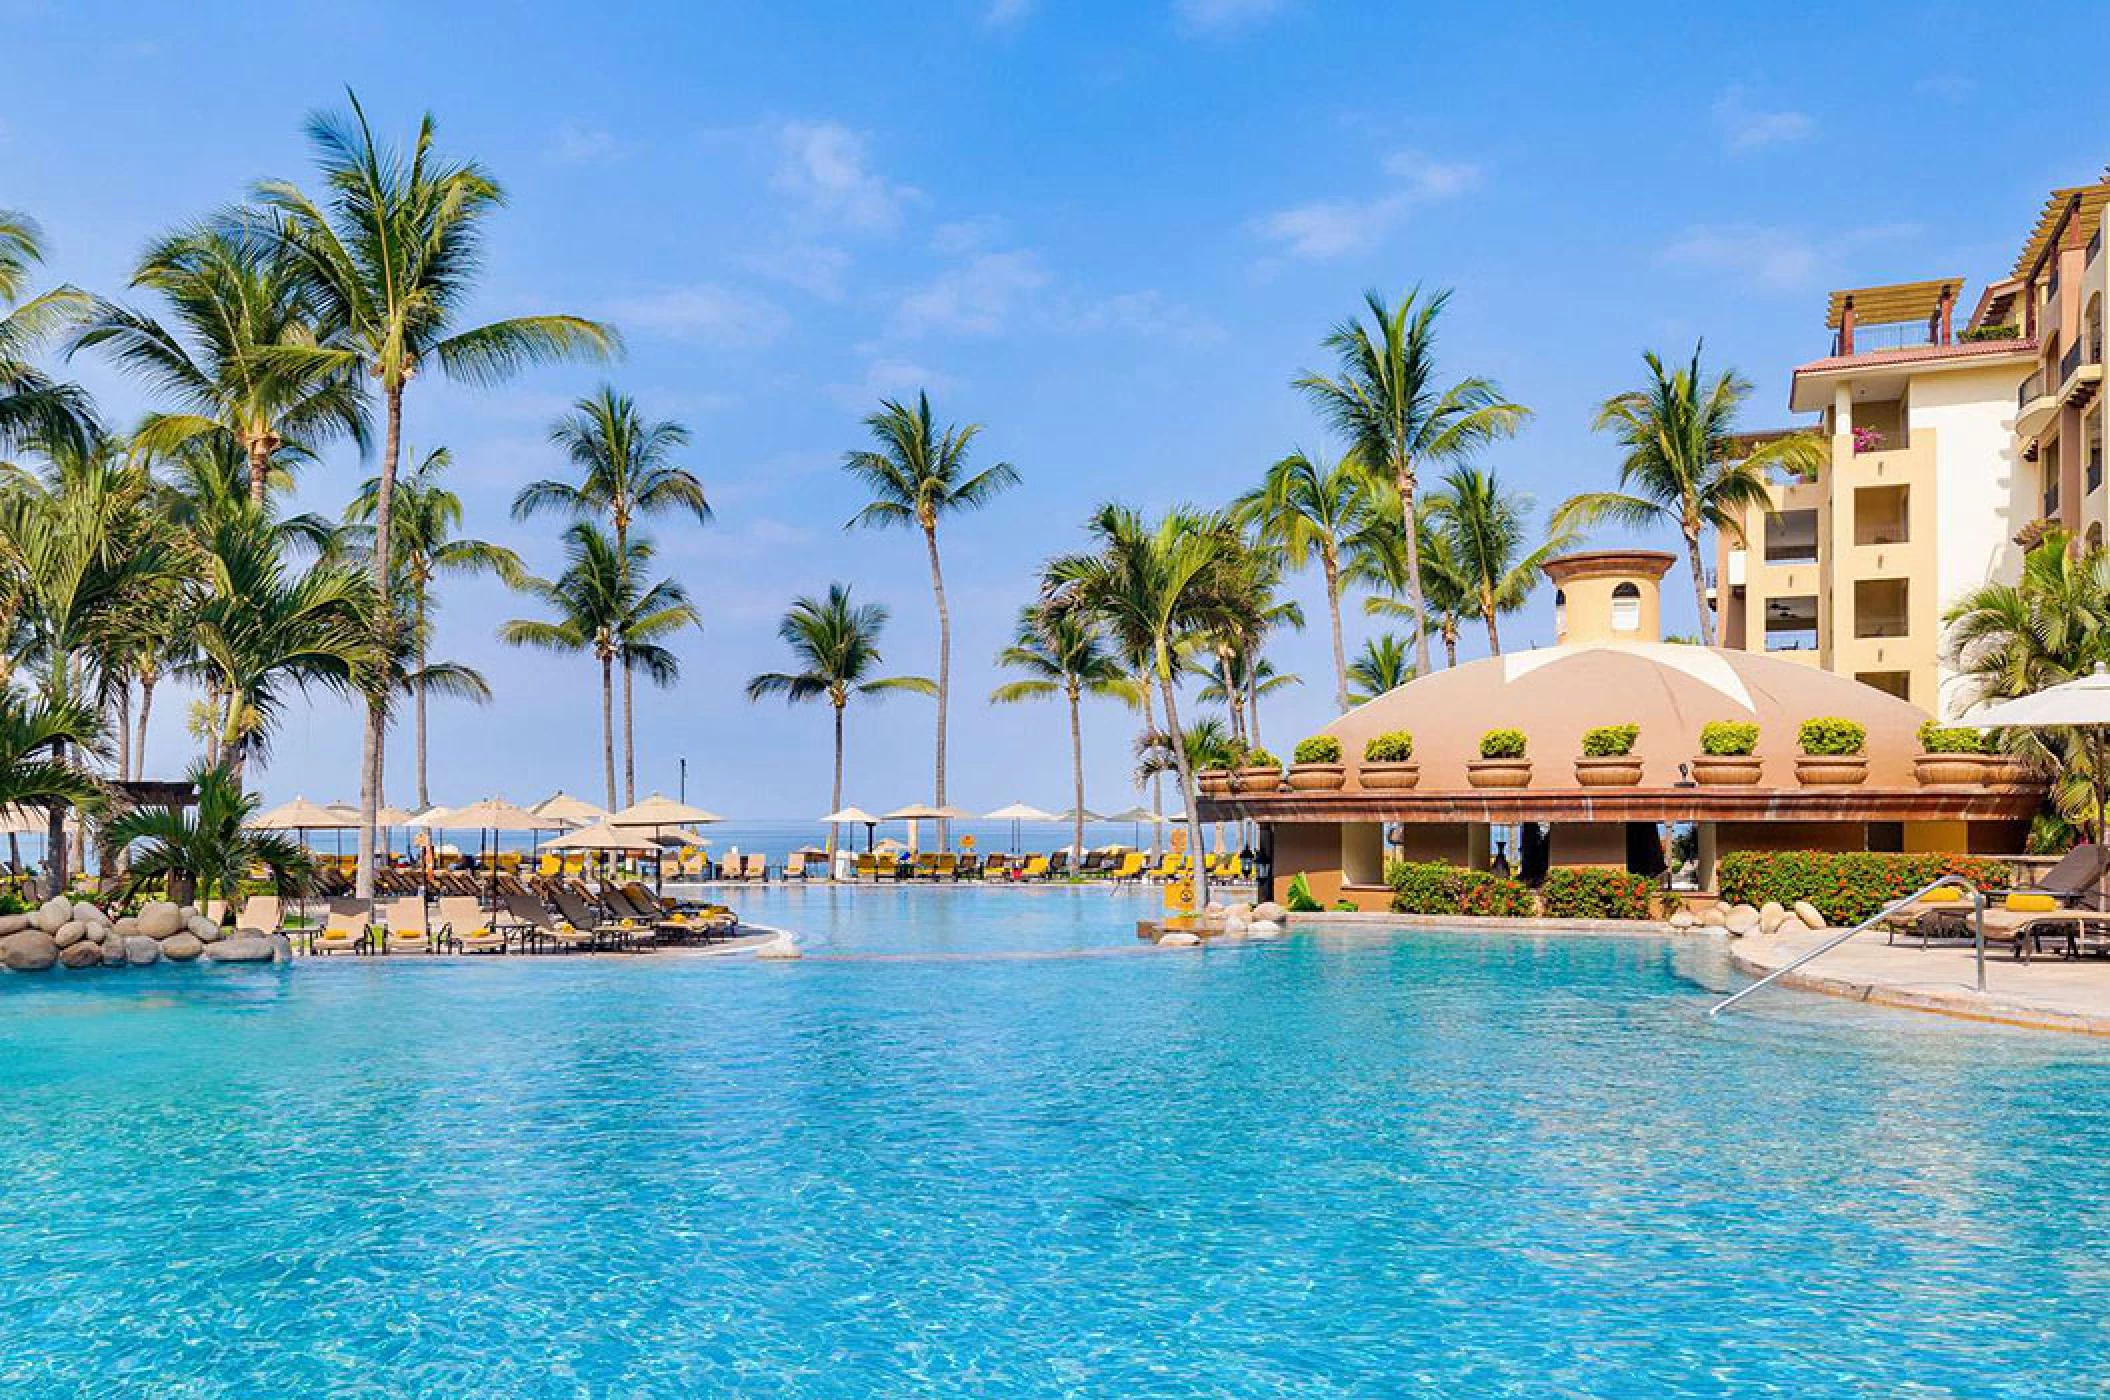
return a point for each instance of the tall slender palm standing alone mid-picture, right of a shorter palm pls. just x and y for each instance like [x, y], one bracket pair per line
[917, 478]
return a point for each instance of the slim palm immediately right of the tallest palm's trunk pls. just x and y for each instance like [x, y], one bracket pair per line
[427, 518]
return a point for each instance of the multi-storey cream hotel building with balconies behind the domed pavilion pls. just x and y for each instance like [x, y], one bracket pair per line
[1951, 444]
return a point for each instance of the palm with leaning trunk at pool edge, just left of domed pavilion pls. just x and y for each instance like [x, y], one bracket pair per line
[1155, 587]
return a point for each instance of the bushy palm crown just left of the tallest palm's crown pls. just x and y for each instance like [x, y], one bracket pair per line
[235, 298]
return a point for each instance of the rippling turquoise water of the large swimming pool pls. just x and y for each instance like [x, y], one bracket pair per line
[1421, 1165]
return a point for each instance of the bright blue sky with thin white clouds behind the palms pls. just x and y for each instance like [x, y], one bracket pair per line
[1111, 233]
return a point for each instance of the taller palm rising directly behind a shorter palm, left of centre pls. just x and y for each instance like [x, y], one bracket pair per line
[626, 475]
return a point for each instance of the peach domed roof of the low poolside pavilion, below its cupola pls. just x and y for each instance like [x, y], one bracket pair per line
[1670, 691]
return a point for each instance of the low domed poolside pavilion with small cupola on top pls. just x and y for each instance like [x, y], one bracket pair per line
[1609, 667]
